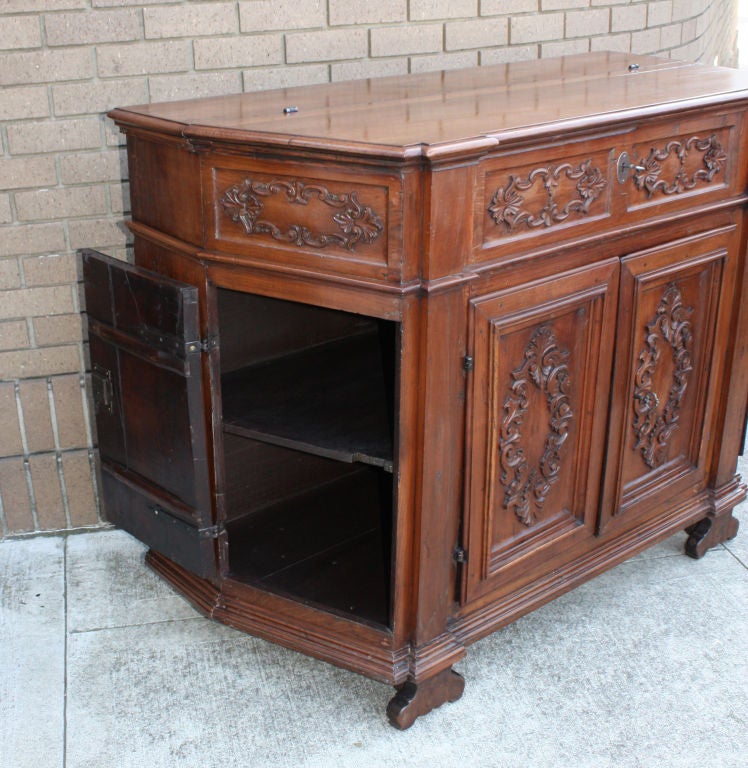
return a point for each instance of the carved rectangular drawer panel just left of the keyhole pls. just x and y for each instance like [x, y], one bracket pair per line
[548, 194]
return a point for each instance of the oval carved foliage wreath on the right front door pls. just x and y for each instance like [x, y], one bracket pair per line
[653, 426]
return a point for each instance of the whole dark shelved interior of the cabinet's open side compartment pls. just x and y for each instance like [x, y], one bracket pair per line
[308, 422]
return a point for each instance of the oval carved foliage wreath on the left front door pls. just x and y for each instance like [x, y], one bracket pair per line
[544, 367]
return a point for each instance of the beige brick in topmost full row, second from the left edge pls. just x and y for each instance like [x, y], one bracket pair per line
[87, 27]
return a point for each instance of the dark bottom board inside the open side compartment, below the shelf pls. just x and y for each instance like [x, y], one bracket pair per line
[323, 547]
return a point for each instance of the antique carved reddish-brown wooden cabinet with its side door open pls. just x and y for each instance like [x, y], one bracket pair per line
[400, 360]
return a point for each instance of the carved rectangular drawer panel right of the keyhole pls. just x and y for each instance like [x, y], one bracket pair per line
[682, 165]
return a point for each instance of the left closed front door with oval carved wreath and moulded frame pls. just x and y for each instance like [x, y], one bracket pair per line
[537, 410]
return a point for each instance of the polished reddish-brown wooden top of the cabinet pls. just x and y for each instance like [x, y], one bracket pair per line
[446, 113]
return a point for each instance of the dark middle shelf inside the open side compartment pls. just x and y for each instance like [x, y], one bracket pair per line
[330, 400]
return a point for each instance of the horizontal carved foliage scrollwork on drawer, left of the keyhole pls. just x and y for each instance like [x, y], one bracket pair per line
[508, 205]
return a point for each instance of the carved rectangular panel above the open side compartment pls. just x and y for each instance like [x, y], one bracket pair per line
[311, 217]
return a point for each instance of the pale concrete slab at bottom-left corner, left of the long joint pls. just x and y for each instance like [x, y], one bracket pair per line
[32, 653]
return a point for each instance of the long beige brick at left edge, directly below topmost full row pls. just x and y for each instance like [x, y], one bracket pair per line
[45, 65]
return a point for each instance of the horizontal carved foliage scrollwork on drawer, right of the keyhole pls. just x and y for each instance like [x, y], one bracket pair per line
[713, 159]
